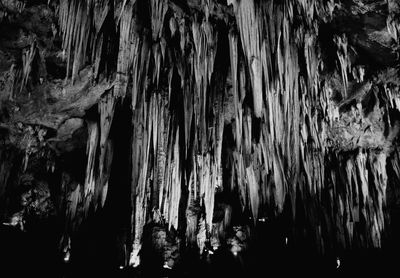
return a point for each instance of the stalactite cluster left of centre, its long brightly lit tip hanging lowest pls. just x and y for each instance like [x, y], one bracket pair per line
[148, 136]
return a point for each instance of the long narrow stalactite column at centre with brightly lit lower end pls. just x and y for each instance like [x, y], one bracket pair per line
[206, 170]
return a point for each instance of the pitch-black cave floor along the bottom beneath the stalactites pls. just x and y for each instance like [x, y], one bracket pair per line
[32, 255]
